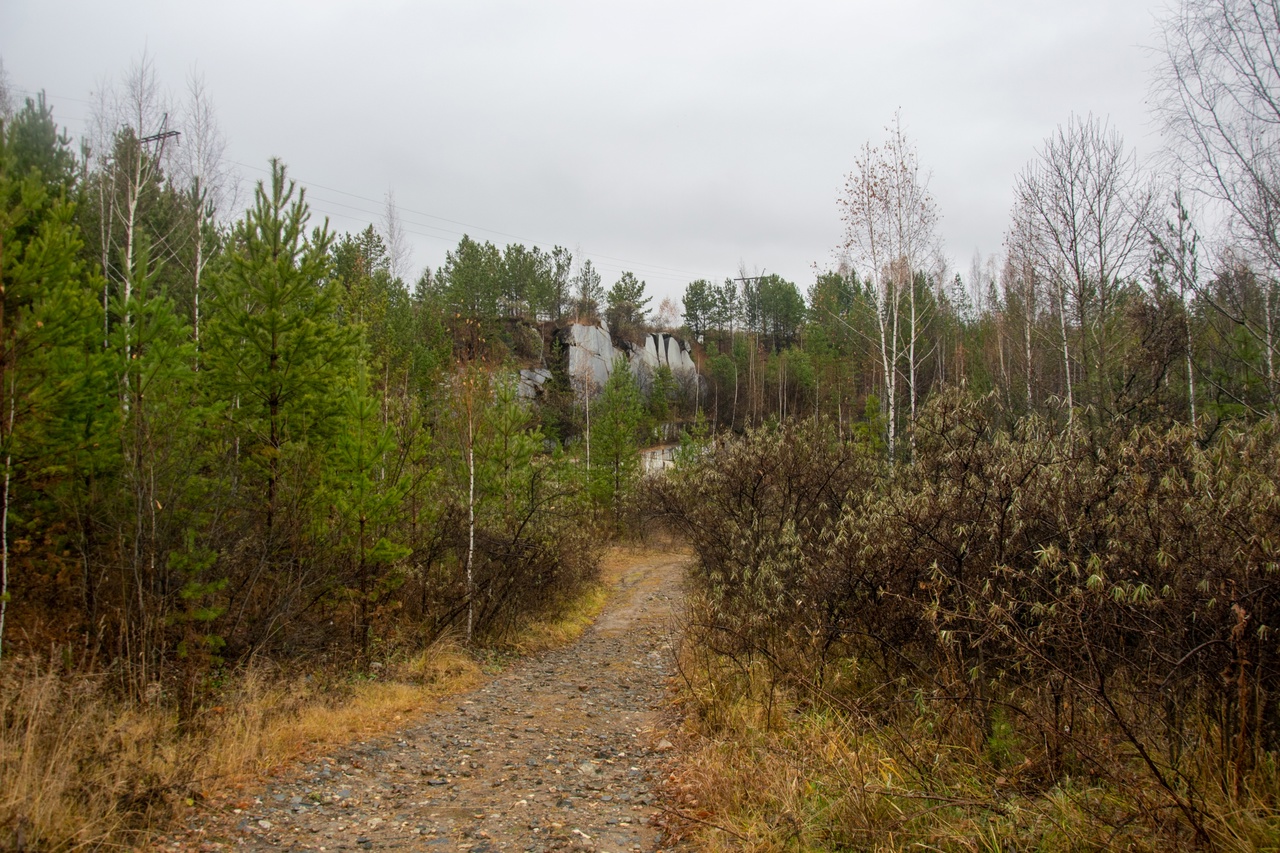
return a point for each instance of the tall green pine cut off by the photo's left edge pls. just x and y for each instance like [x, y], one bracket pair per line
[53, 378]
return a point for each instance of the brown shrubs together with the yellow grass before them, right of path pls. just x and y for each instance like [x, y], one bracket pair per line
[1023, 640]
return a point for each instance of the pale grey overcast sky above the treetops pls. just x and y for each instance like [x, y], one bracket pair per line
[678, 140]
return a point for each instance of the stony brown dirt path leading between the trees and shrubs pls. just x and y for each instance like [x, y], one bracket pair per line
[559, 752]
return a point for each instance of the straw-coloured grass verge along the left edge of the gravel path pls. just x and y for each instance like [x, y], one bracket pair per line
[83, 769]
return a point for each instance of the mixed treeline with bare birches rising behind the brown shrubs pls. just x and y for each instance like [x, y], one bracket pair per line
[1107, 304]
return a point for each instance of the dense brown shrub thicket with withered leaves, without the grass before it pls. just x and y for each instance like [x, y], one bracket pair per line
[1059, 605]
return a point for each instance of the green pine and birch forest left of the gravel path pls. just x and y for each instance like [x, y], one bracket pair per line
[226, 440]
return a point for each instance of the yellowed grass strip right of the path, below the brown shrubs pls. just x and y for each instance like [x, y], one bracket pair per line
[765, 772]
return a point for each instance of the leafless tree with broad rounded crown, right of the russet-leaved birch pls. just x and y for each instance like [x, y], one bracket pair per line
[1085, 211]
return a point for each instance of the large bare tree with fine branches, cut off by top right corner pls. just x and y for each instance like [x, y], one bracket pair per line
[1219, 101]
